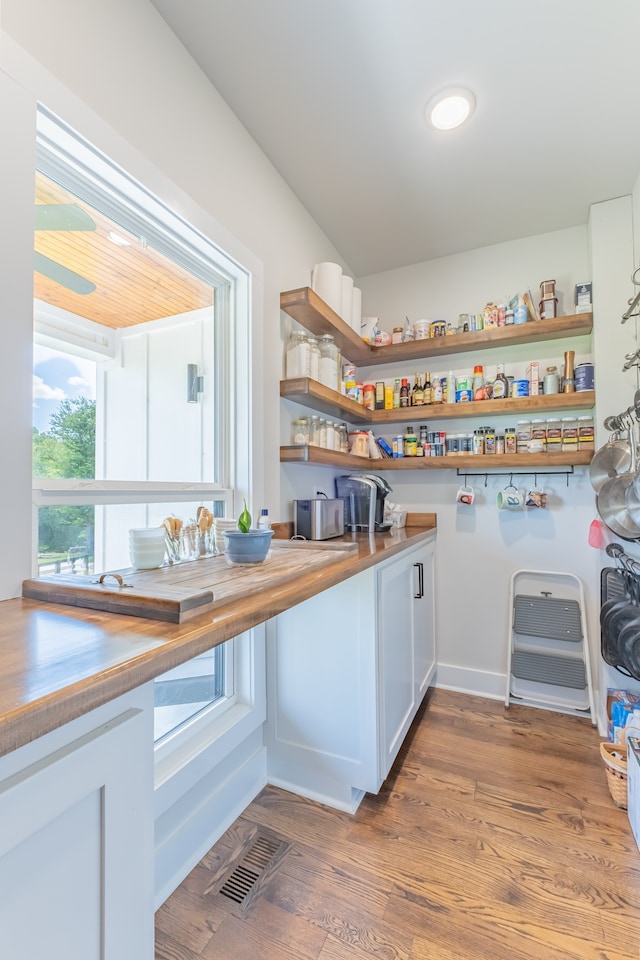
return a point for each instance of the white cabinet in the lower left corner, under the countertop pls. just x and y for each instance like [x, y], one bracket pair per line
[76, 840]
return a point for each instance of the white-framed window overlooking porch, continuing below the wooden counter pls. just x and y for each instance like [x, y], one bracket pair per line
[136, 318]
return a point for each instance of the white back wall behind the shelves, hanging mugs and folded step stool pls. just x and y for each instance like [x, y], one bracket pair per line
[480, 548]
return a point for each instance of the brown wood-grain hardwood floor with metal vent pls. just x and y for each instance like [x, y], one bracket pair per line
[493, 838]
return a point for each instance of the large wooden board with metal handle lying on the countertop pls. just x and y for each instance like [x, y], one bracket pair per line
[172, 593]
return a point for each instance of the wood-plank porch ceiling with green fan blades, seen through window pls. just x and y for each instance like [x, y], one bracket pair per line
[134, 283]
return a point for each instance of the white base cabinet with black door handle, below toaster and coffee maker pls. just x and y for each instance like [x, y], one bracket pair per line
[346, 673]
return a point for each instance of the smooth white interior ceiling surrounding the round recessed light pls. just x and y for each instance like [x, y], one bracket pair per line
[334, 94]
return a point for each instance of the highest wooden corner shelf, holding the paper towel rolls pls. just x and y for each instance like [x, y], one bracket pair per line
[305, 306]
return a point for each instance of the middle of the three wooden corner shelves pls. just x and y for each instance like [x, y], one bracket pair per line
[318, 397]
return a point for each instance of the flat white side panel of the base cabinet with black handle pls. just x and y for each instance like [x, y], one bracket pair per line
[321, 730]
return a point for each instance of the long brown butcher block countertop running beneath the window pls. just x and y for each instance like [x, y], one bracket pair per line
[59, 661]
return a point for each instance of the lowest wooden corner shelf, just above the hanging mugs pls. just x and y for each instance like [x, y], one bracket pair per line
[518, 462]
